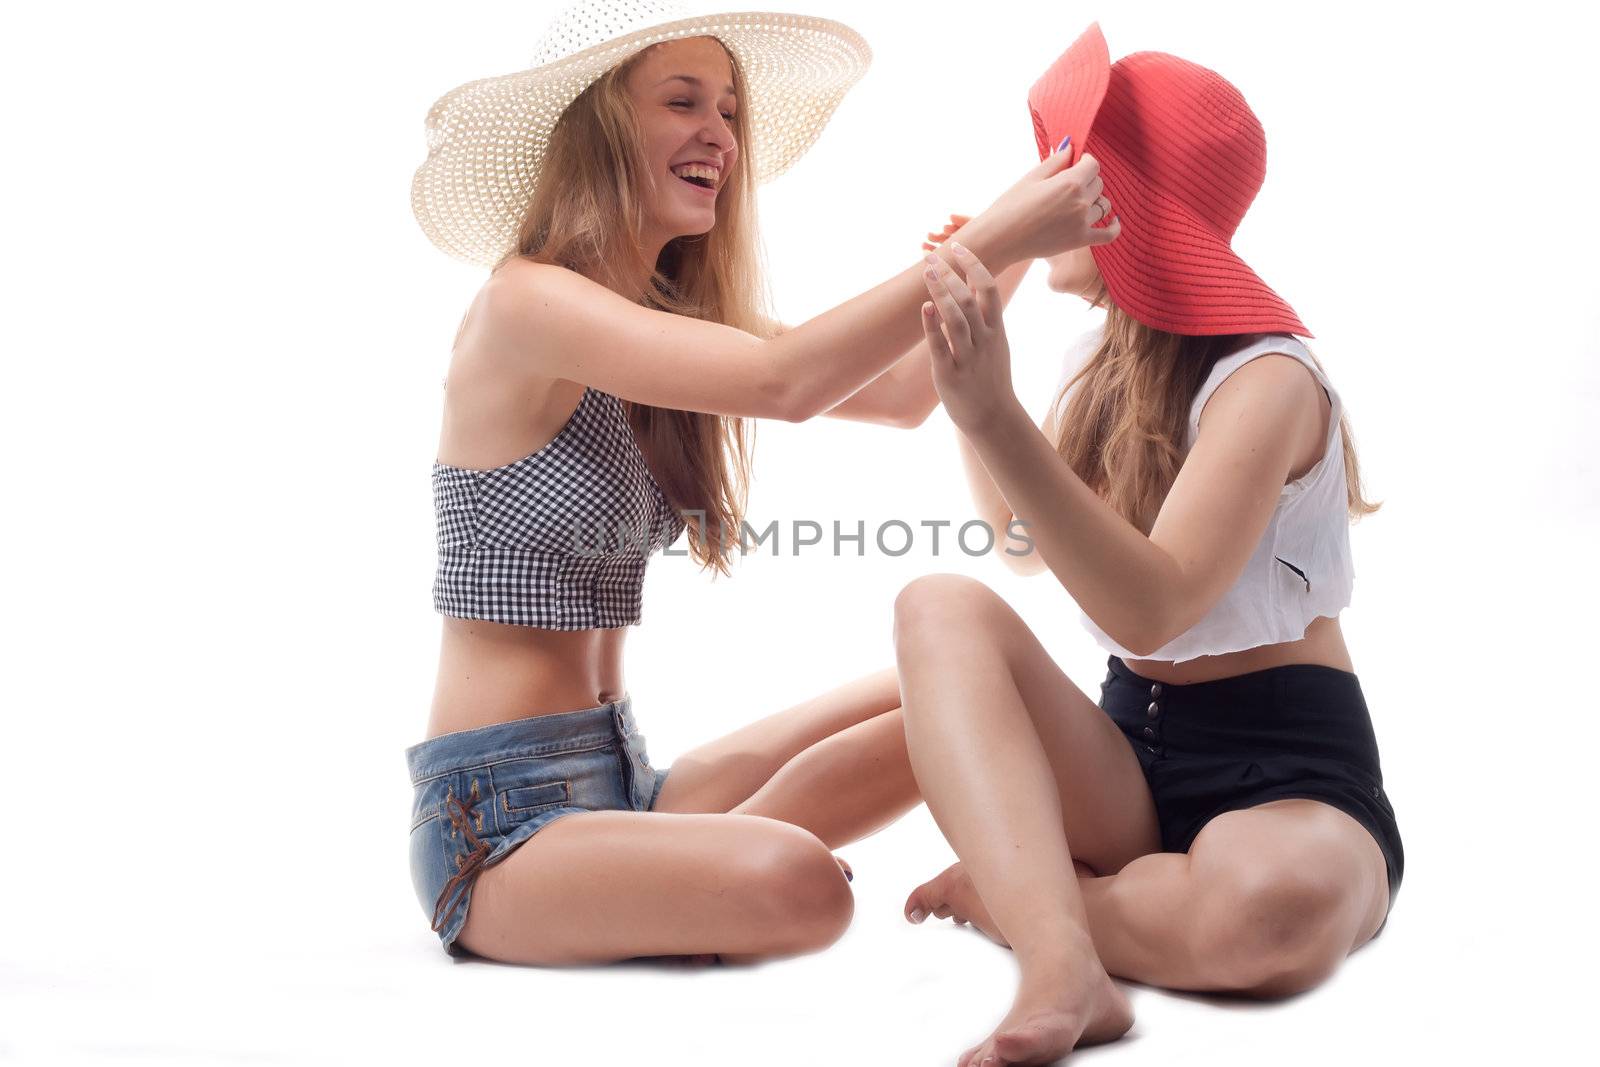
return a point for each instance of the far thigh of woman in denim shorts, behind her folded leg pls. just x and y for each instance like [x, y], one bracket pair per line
[722, 775]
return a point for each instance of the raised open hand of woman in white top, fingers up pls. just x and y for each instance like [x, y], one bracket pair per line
[972, 361]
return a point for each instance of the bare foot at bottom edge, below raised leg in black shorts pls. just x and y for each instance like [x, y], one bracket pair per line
[1062, 1004]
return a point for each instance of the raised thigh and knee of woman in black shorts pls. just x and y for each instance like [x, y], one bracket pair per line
[1106, 805]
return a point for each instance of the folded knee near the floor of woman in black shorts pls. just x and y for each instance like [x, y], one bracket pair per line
[1273, 933]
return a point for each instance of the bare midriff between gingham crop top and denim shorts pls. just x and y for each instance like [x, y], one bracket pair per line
[492, 673]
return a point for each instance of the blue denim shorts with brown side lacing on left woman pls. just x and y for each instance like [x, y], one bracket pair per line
[479, 794]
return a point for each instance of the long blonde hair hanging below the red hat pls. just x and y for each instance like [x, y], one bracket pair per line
[1124, 433]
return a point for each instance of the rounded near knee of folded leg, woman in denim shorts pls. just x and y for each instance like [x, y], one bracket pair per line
[801, 890]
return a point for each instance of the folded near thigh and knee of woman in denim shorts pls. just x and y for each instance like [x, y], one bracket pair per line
[614, 885]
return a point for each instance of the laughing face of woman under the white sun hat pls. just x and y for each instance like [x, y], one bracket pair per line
[684, 97]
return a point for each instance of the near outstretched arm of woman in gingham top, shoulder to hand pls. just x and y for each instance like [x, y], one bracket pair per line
[559, 324]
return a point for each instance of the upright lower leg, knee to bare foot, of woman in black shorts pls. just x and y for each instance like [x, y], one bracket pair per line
[990, 786]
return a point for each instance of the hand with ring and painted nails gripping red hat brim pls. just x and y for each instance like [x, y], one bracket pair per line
[1052, 210]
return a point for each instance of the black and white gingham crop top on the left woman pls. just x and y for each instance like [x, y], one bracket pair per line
[556, 540]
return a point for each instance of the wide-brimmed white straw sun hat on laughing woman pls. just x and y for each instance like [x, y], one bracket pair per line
[487, 138]
